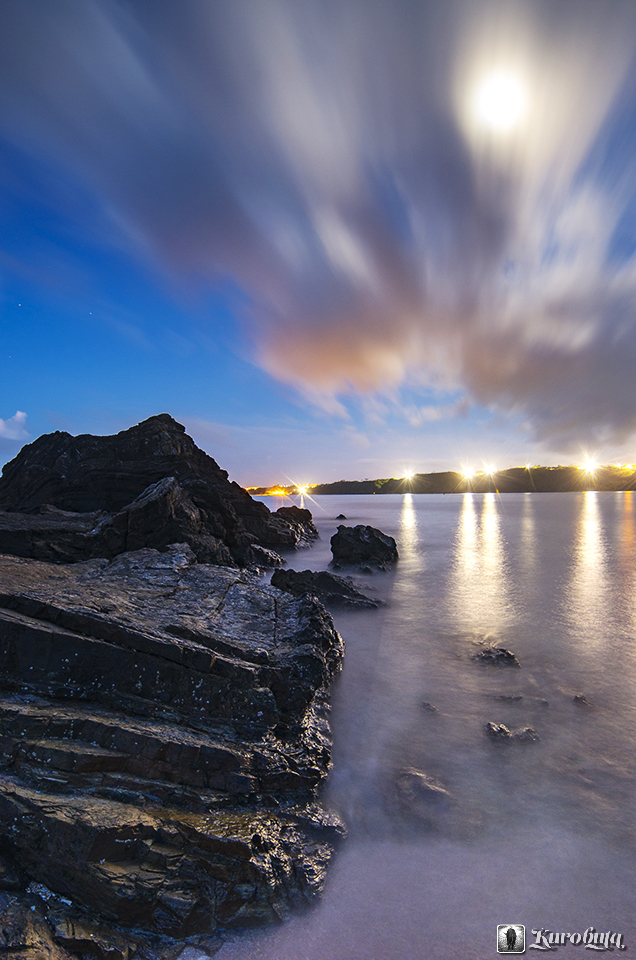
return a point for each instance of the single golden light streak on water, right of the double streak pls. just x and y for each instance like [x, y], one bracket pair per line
[588, 595]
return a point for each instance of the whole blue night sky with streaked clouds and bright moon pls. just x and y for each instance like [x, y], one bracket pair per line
[334, 239]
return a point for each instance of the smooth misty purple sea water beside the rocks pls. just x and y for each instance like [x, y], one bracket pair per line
[542, 834]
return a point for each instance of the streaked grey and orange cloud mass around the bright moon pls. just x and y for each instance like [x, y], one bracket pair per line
[330, 160]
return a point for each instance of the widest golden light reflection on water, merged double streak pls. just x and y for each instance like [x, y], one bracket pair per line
[478, 595]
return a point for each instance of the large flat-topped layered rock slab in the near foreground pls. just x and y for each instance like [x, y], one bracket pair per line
[163, 731]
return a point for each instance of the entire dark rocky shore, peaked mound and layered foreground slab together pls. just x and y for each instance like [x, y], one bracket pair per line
[163, 713]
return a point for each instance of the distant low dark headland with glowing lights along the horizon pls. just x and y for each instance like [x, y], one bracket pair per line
[529, 479]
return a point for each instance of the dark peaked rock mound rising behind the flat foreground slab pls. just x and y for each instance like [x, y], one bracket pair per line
[74, 498]
